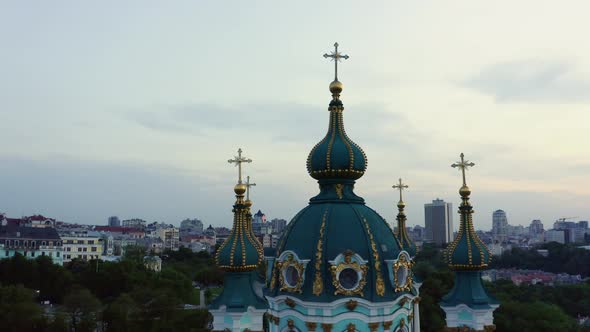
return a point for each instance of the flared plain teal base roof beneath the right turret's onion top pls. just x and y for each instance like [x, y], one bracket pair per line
[468, 290]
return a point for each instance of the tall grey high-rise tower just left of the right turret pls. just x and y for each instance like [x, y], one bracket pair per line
[438, 217]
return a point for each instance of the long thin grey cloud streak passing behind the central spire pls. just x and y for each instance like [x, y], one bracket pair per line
[279, 122]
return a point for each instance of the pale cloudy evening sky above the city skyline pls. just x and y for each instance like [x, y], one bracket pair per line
[133, 108]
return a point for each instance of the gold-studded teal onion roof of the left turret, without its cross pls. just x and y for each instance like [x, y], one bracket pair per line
[241, 251]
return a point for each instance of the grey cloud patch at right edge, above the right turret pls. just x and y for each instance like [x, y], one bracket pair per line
[532, 81]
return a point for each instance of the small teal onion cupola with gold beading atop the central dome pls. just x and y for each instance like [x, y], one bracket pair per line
[336, 155]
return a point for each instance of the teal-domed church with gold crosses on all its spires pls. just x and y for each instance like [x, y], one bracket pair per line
[339, 266]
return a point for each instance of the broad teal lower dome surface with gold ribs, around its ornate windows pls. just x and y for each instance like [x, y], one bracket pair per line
[328, 228]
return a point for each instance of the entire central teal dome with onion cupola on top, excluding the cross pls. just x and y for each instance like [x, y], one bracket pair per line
[338, 247]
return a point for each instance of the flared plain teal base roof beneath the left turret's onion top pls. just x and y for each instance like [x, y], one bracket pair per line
[240, 291]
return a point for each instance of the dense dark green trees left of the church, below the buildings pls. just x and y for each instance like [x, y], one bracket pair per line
[108, 296]
